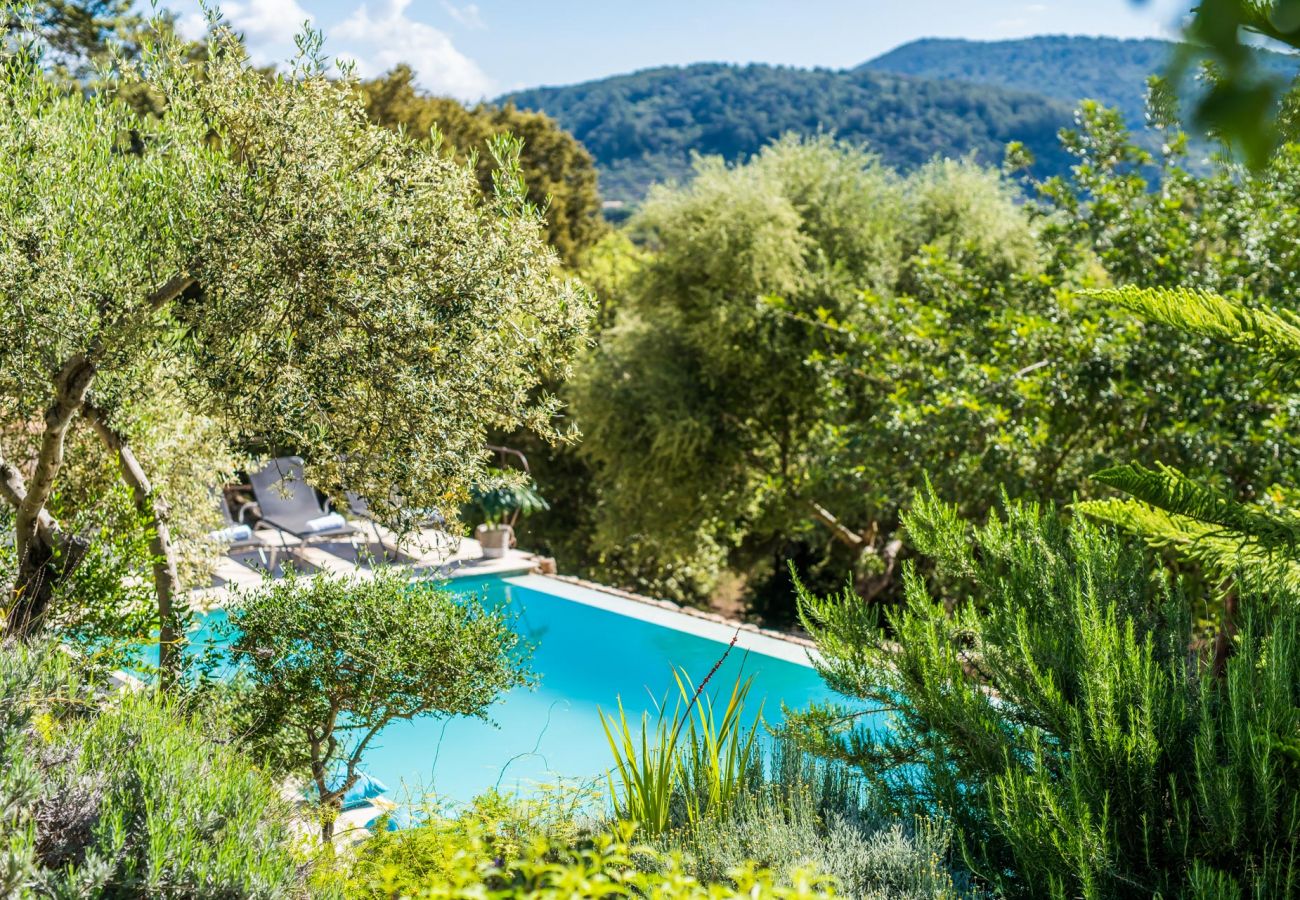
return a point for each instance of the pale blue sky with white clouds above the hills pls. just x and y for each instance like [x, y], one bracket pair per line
[482, 49]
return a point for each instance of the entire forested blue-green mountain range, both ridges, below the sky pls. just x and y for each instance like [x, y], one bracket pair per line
[934, 97]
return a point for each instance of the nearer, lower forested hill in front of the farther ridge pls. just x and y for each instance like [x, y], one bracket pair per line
[644, 127]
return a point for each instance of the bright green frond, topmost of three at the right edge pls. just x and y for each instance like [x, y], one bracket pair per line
[1273, 334]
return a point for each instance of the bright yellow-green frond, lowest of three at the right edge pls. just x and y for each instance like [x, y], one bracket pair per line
[1211, 546]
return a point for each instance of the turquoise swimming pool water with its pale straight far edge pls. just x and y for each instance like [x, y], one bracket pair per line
[591, 650]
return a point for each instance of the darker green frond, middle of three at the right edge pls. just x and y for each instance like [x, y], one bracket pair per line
[1171, 491]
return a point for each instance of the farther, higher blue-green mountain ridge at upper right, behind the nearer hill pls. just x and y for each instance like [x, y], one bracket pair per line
[1065, 68]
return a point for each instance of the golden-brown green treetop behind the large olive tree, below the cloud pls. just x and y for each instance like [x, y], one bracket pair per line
[557, 170]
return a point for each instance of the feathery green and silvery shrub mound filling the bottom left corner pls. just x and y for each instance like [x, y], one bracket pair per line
[122, 797]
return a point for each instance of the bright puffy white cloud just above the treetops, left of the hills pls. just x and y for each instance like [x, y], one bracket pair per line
[378, 41]
